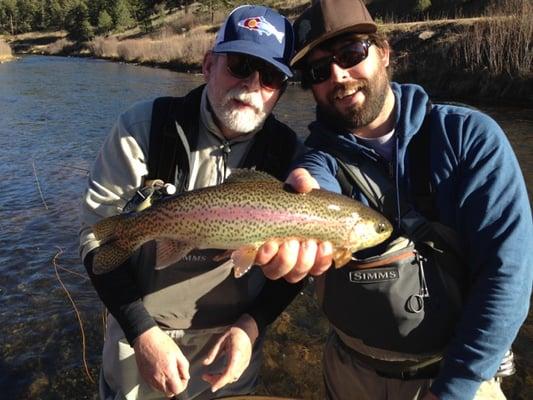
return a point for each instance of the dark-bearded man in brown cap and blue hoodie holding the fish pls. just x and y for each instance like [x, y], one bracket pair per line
[430, 314]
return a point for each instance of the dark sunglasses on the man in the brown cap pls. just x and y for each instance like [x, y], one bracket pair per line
[346, 57]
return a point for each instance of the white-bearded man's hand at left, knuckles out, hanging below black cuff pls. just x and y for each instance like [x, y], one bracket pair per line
[161, 363]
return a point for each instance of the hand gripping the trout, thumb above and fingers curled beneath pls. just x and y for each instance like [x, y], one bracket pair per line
[293, 260]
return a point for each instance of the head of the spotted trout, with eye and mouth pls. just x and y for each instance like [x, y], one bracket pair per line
[368, 230]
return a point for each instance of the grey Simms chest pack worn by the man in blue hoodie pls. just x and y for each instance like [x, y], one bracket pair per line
[399, 301]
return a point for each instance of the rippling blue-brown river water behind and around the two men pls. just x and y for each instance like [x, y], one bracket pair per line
[54, 114]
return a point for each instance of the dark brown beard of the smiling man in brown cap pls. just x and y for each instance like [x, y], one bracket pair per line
[375, 91]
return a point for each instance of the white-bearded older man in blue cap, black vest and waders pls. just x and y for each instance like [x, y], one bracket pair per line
[192, 328]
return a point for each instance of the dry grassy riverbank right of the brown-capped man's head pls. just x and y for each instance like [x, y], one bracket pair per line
[452, 59]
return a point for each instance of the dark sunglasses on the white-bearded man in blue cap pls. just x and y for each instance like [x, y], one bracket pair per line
[242, 66]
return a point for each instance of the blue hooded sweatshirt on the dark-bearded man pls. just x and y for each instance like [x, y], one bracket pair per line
[481, 194]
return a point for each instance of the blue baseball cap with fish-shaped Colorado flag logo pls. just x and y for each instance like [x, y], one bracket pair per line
[260, 32]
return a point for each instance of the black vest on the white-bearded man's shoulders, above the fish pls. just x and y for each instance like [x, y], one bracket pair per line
[173, 136]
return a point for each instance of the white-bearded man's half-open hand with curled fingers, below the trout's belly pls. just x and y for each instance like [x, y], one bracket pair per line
[237, 343]
